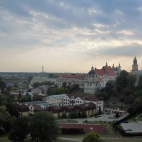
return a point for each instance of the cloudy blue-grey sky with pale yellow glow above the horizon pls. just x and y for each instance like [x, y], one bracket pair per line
[69, 35]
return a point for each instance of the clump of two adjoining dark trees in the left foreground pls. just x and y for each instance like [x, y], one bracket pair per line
[42, 127]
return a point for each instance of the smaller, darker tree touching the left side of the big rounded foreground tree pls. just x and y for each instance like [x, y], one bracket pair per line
[19, 130]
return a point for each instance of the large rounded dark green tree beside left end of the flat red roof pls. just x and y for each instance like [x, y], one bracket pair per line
[43, 127]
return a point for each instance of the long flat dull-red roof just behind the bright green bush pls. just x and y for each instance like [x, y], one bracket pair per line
[87, 127]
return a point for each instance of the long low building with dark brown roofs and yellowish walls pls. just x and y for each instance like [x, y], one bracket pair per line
[30, 108]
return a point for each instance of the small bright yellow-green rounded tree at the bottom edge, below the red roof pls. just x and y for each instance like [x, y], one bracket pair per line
[92, 137]
